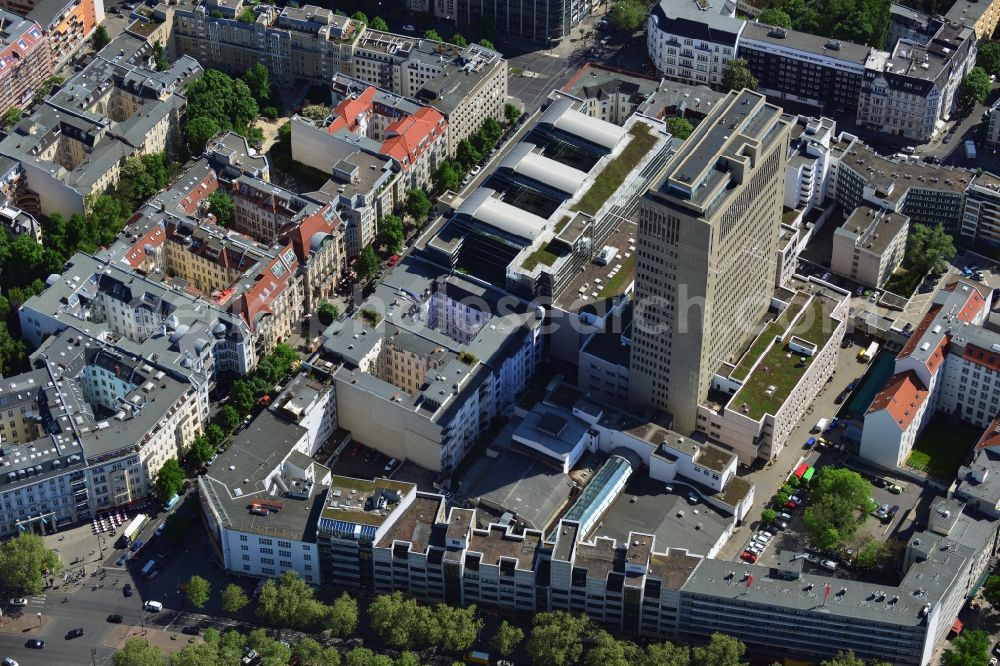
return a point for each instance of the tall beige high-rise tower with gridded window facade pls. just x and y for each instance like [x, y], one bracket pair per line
[708, 234]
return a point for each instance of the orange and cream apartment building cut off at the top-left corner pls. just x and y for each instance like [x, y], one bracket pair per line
[66, 24]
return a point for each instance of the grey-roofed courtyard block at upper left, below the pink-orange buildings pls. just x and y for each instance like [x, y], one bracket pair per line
[74, 145]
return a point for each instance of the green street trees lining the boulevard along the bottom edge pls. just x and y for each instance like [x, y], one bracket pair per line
[557, 638]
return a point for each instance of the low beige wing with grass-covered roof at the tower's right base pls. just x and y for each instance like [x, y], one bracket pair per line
[758, 399]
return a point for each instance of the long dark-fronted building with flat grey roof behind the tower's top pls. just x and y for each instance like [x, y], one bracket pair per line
[803, 68]
